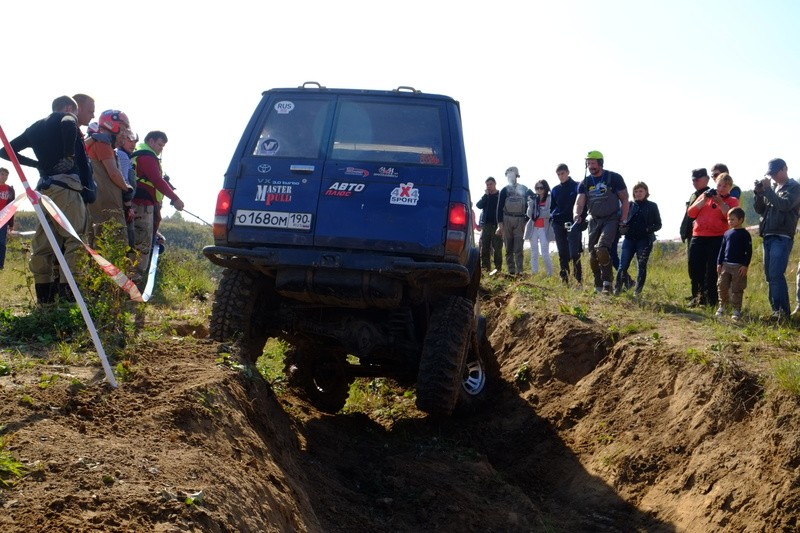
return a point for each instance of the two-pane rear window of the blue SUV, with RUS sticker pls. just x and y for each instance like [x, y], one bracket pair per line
[365, 131]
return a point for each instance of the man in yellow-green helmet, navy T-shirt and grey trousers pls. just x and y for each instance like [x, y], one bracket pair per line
[607, 198]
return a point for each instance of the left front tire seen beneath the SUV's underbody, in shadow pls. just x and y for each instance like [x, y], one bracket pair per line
[323, 378]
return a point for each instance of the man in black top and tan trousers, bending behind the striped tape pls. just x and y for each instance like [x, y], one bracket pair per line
[65, 177]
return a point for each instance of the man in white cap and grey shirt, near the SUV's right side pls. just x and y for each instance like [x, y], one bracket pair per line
[511, 218]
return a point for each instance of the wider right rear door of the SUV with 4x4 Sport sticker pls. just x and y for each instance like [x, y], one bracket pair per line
[386, 181]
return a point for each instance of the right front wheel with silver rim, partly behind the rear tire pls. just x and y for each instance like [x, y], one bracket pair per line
[481, 374]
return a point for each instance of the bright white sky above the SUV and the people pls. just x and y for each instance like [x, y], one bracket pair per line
[660, 87]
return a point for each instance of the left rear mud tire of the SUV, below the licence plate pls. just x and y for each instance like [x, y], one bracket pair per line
[241, 311]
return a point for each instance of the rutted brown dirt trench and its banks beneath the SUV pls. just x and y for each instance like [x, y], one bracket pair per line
[587, 433]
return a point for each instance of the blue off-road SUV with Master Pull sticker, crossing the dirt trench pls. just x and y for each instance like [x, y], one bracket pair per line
[345, 228]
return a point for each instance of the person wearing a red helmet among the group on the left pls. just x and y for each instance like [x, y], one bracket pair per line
[108, 210]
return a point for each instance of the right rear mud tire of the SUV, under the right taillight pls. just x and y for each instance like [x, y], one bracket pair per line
[444, 351]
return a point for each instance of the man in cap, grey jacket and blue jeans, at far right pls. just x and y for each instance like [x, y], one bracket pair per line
[779, 207]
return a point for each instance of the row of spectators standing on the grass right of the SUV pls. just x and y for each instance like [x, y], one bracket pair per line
[621, 227]
